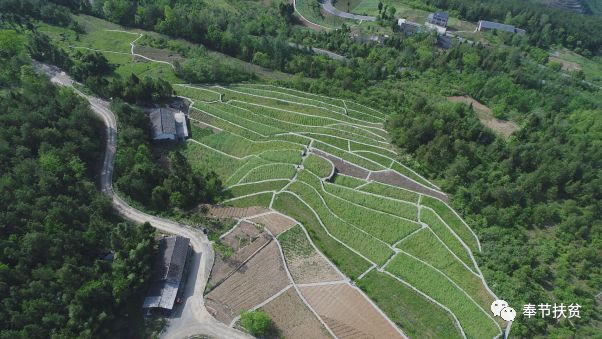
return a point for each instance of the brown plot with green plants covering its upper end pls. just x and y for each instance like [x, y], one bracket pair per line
[305, 264]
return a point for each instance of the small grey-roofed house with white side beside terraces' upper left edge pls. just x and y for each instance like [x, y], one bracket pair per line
[168, 124]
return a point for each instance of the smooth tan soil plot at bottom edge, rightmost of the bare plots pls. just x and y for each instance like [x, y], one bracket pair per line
[347, 312]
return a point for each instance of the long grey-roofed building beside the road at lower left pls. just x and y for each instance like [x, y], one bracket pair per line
[167, 275]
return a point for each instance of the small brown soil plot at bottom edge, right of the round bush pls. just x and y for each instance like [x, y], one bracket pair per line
[293, 318]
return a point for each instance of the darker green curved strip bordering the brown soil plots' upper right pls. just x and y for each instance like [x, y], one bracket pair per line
[346, 260]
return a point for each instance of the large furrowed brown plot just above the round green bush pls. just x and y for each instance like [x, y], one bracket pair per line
[253, 283]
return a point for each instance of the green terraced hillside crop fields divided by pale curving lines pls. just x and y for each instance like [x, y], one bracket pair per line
[327, 163]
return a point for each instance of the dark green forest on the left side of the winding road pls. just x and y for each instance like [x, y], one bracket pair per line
[55, 227]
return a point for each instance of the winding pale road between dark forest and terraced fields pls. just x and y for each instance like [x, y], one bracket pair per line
[191, 318]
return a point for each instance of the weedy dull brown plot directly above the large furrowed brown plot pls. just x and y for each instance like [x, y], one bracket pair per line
[244, 240]
